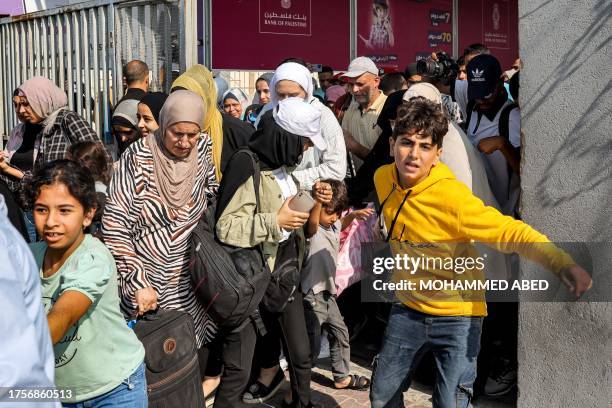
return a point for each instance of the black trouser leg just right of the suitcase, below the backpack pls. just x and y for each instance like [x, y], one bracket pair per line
[236, 356]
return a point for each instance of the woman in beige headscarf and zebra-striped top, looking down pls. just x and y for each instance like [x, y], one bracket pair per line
[157, 195]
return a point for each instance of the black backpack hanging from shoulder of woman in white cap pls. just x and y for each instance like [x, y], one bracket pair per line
[229, 281]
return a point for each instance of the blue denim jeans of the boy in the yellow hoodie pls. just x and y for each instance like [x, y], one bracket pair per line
[454, 342]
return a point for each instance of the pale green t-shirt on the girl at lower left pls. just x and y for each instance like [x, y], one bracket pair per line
[100, 350]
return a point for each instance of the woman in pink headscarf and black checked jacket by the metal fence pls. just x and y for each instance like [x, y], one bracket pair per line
[42, 107]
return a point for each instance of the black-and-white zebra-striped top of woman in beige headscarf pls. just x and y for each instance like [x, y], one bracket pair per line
[151, 241]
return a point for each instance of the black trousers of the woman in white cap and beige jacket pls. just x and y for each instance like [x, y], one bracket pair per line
[290, 328]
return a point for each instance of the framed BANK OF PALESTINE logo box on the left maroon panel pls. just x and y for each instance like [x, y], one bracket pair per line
[275, 18]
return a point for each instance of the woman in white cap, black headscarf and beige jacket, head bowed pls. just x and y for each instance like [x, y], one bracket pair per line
[280, 142]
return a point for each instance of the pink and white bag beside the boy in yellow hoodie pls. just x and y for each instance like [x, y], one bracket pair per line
[348, 267]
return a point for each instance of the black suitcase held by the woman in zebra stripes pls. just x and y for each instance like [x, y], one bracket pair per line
[173, 370]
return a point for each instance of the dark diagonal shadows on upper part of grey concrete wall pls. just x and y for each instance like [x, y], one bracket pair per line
[588, 157]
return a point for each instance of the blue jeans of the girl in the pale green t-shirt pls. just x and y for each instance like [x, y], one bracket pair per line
[131, 393]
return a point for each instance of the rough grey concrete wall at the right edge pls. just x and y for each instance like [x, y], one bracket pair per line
[565, 349]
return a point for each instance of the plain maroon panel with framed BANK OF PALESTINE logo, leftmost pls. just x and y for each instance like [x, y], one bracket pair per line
[259, 34]
